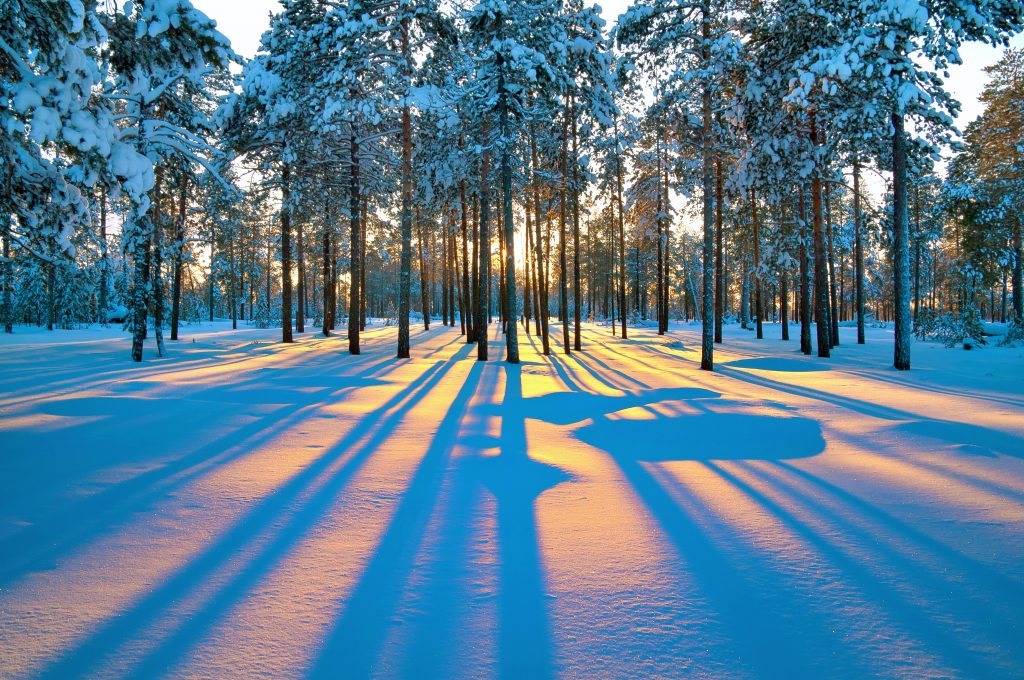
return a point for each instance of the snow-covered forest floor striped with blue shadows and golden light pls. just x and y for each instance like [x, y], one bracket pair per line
[244, 508]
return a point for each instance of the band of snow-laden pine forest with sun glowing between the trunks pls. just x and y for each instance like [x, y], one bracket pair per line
[418, 162]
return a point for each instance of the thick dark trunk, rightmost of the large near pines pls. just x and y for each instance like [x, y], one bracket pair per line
[902, 354]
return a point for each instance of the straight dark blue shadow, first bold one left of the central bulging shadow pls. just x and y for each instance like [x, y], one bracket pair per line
[354, 644]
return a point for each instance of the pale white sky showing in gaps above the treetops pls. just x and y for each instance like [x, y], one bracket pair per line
[244, 22]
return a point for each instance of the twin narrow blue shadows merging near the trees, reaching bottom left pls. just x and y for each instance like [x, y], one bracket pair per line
[264, 518]
